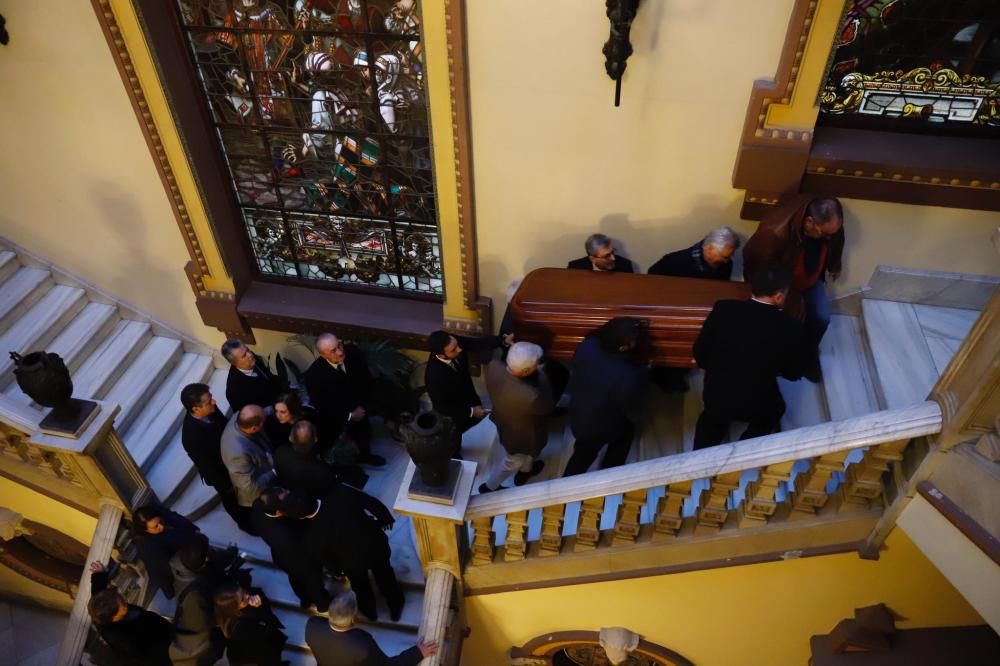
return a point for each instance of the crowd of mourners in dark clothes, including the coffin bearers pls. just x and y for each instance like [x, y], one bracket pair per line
[288, 465]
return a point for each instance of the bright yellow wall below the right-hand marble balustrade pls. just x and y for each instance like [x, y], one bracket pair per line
[757, 615]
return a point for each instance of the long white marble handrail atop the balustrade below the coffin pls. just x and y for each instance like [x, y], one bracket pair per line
[809, 442]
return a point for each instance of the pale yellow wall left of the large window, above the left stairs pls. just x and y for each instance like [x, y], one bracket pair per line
[80, 188]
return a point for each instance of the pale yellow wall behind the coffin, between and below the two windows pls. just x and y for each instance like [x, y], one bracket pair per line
[556, 161]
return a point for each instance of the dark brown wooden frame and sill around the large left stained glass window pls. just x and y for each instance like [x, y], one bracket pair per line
[259, 301]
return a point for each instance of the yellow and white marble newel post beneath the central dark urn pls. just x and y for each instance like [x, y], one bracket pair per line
[437, 528]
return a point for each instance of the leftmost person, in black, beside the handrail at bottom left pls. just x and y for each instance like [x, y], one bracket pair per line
[134, 635]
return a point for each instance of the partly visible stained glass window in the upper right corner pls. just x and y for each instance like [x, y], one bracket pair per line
[928, 65]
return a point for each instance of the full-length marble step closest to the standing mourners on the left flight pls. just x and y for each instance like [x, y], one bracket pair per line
[161, 415]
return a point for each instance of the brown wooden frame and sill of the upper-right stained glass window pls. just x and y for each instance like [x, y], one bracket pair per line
[955, 172]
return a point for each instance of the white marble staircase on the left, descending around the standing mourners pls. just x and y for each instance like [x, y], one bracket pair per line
[117, 353]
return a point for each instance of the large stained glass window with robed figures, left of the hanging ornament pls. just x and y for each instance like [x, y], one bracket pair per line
[321, 115]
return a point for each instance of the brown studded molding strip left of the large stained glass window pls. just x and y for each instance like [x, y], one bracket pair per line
[198, 269]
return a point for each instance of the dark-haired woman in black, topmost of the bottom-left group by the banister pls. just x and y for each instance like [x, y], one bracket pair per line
[157, 534]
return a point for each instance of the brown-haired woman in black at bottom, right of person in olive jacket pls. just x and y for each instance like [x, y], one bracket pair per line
[254, 635]
